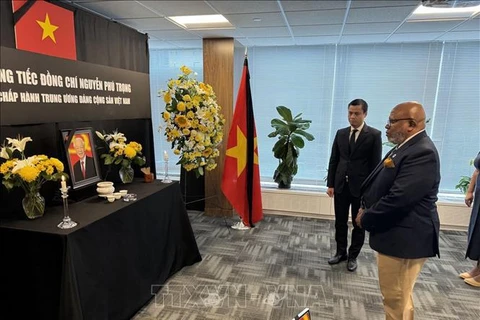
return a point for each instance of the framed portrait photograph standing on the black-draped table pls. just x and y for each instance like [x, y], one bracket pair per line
[81, 156]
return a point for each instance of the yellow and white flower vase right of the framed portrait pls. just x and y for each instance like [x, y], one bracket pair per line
[122, 153]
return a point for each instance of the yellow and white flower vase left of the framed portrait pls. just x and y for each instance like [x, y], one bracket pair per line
[28, 173]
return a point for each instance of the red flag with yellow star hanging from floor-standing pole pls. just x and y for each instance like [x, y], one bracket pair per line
[241, 175]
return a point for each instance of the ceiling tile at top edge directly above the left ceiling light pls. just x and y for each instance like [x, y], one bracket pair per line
[179, 8]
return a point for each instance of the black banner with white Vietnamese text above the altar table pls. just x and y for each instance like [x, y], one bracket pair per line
[36, 88]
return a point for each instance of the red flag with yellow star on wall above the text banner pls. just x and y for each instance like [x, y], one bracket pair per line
[45, 28]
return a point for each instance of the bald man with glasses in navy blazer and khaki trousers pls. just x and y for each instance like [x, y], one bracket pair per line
[399, 208]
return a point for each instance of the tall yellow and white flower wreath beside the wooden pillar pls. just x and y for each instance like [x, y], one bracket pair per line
[194, 124]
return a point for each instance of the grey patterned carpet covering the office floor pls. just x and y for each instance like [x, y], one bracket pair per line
[280, 267]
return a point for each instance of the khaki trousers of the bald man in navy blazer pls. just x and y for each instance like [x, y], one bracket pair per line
[397, 278]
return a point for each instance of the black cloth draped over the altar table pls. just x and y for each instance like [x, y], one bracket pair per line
[106, 267]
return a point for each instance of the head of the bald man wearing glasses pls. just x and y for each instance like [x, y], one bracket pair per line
[406, 119]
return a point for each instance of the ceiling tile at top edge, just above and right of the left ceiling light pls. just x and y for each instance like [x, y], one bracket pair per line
[236, 7]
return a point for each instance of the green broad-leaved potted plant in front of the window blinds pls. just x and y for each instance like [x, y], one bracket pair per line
[290, 131]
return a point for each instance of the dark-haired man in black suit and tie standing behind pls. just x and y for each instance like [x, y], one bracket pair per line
[356, 150]
